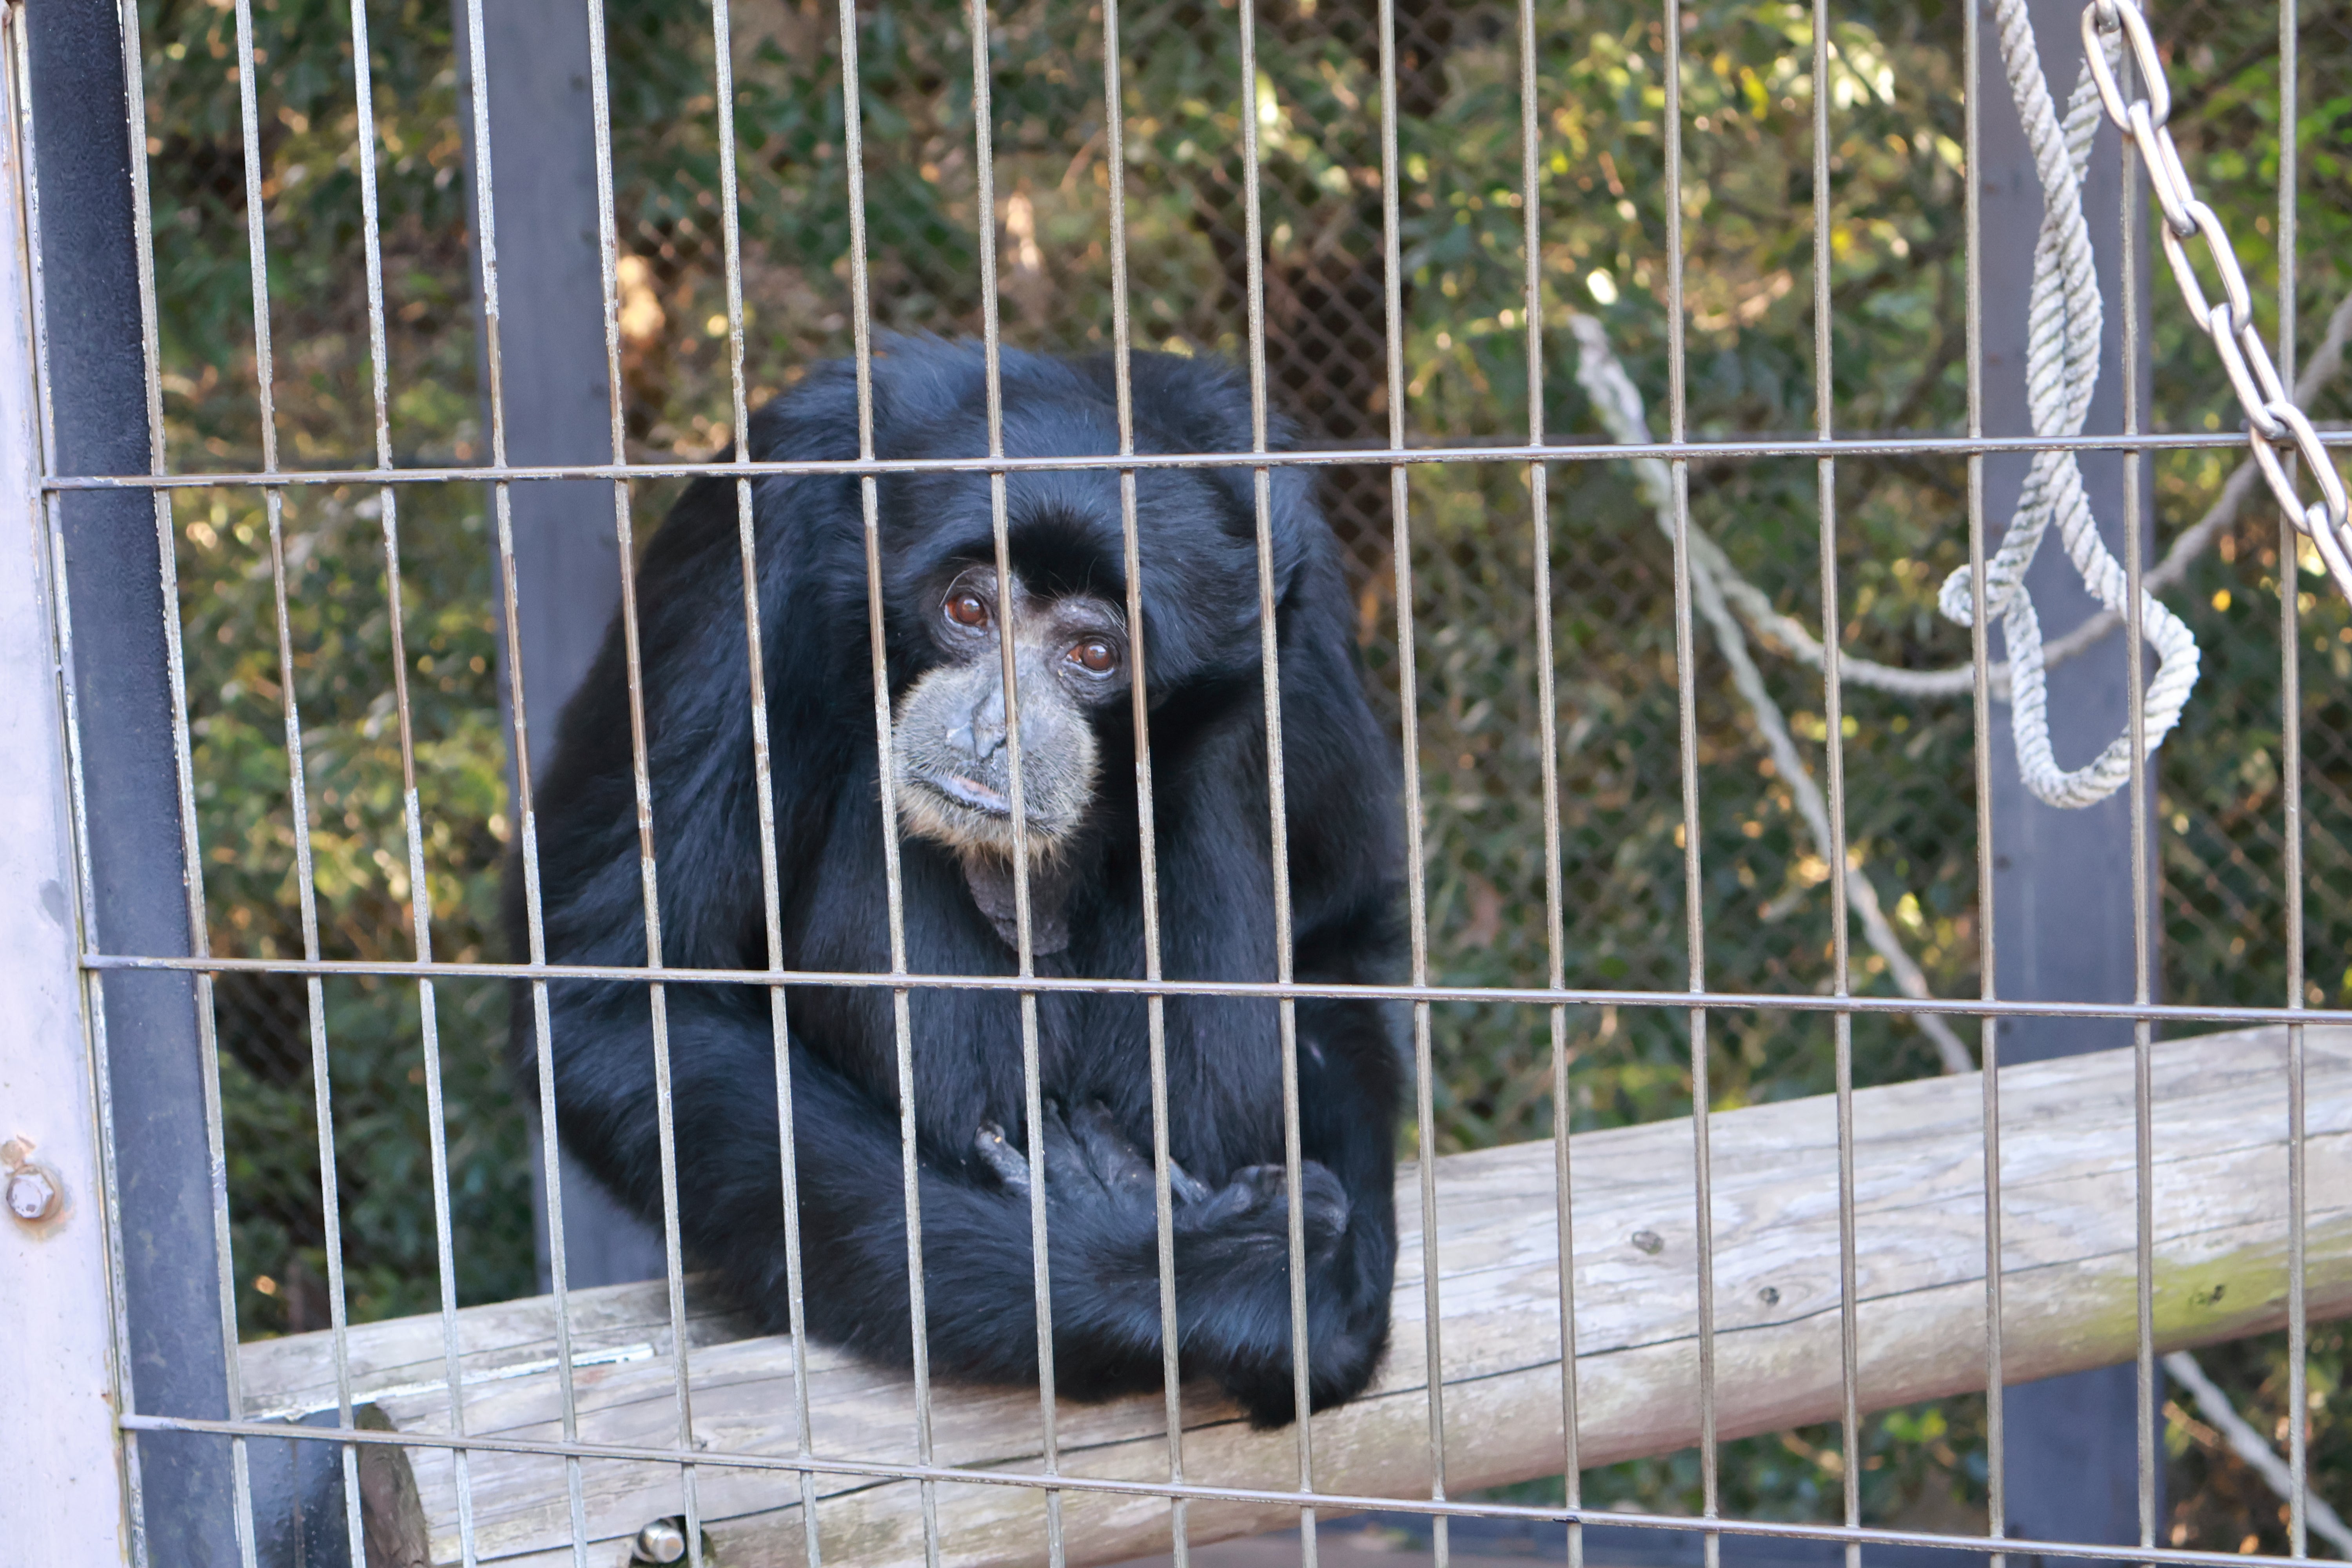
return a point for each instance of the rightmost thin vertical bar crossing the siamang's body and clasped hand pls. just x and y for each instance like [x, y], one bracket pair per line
[1278, 810]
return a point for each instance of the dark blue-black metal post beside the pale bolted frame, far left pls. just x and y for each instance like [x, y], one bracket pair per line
[116, 575]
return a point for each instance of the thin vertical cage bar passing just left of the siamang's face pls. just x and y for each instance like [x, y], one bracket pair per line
[878, 652]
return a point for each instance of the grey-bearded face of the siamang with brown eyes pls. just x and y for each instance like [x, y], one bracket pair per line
[949, 746]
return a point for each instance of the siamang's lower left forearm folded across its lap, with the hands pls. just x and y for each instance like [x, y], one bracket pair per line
[1231, 1242]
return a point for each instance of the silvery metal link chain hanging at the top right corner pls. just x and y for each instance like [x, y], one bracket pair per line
[2271, 415]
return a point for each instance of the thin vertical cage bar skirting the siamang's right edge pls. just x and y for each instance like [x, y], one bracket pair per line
[1415, 850]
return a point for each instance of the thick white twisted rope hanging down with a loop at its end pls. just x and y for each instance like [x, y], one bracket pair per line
[2062, 370]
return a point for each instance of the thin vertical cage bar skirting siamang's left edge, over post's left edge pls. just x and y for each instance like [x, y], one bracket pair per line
[521, 718]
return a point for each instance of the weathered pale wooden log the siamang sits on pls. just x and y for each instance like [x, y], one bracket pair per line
[2069, 1202]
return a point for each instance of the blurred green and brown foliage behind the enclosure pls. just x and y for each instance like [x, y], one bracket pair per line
[1746, 91]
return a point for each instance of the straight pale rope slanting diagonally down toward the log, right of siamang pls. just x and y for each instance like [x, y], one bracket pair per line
[1619, 406]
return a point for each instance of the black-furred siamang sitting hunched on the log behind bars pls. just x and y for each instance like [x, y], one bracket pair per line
[1217, 902]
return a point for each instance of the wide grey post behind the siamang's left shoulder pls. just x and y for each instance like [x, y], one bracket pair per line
[568, 568]
